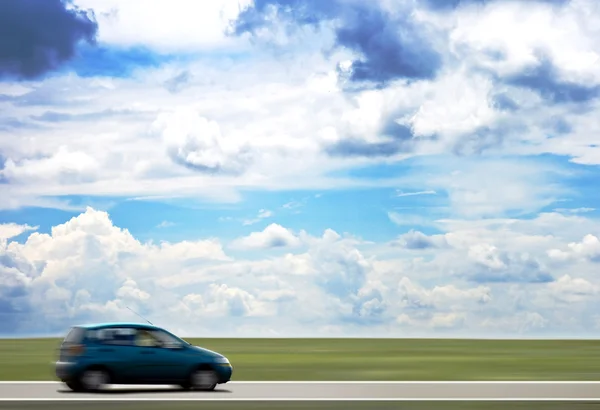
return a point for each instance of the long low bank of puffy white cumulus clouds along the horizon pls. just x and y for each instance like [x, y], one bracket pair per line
[87, 269]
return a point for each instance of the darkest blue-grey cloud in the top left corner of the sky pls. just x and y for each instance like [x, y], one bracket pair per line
[38, 36]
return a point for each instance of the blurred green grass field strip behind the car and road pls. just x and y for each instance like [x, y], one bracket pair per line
[359, 359]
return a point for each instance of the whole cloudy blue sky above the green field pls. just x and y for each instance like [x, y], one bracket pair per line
[286, 168]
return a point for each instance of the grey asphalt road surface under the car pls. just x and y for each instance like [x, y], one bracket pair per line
[39, 391]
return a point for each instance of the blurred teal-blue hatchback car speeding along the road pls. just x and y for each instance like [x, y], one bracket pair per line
[95, 356]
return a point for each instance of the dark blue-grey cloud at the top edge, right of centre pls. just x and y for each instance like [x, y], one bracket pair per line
[390, 46]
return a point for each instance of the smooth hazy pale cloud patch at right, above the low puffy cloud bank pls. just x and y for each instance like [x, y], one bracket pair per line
[473, 188]
